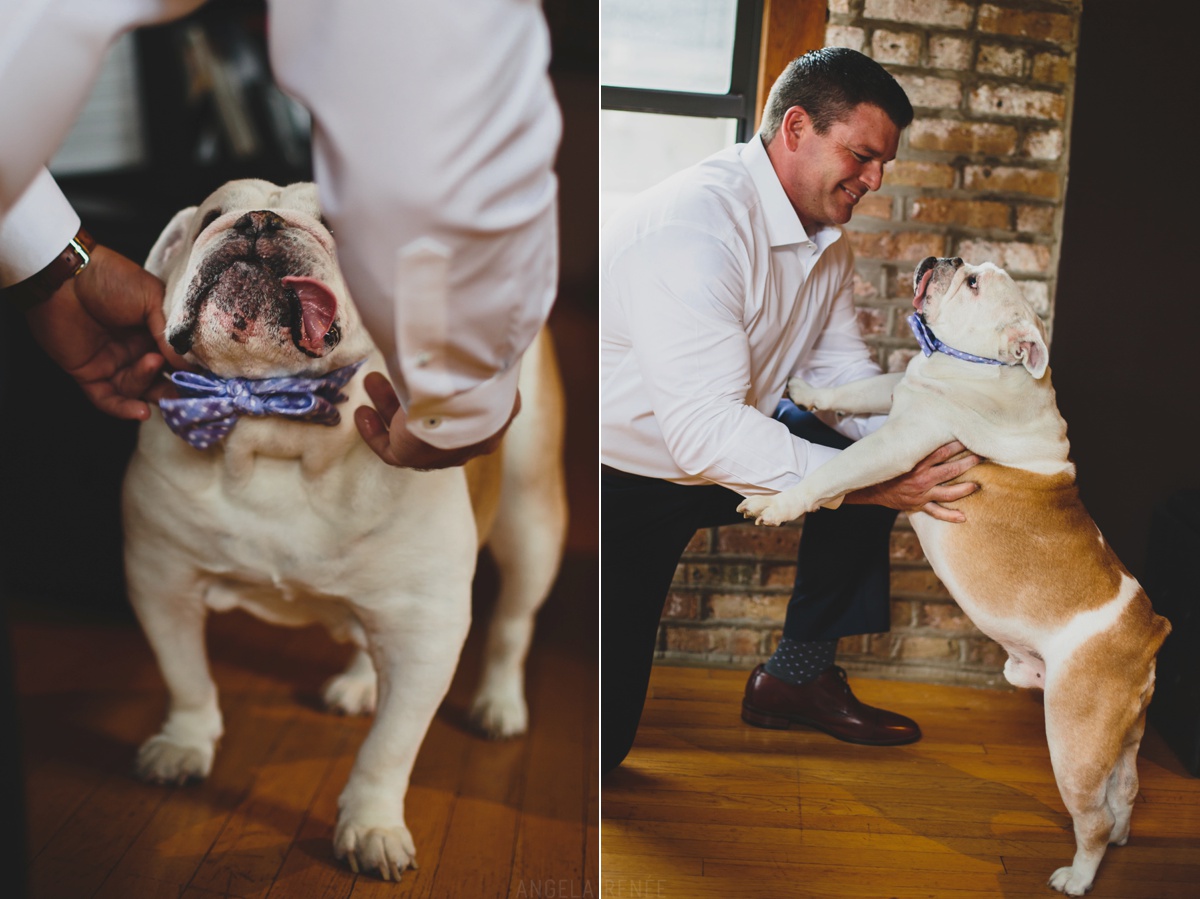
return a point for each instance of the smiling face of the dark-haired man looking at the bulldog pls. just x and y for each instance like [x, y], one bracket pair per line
[825, 176]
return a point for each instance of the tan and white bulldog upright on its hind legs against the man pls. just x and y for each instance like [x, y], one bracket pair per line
[1029, 566]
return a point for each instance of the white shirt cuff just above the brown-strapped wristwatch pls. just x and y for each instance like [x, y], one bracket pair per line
[35, 231]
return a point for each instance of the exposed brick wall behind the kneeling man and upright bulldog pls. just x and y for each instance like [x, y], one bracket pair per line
[981, 173]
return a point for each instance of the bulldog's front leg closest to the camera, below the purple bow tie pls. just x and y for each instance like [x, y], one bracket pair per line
[415, 646]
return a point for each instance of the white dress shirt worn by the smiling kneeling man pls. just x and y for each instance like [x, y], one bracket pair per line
[712, 297]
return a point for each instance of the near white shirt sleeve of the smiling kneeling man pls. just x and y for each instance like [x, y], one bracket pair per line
[686, 327]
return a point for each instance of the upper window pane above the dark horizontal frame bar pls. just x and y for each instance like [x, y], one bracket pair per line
[668, 45]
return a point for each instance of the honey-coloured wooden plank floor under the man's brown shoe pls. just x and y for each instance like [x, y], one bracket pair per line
[707, 807]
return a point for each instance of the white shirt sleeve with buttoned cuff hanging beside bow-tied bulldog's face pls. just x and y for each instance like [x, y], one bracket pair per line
[435, 135]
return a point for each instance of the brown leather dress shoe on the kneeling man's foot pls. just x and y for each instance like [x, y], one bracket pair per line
[826, 704]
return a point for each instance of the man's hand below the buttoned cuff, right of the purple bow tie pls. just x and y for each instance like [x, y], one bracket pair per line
[386, 431]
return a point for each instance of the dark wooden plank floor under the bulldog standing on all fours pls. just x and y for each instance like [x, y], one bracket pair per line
[490, 819]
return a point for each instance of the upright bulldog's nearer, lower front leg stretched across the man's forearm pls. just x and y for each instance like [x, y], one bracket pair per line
[892, 451]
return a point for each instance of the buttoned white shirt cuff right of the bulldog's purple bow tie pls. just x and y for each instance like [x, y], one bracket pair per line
[466, 418]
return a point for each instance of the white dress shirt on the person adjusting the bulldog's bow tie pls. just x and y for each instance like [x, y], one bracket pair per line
[435, 135]
